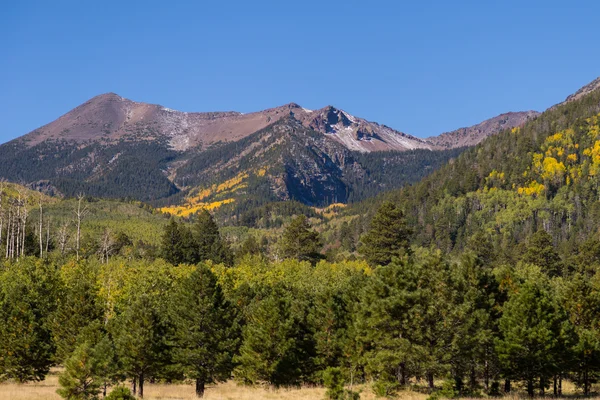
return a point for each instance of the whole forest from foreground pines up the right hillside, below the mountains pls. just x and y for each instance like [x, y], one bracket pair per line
[481, 280]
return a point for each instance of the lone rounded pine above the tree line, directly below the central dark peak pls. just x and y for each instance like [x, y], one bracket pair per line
[300, 242]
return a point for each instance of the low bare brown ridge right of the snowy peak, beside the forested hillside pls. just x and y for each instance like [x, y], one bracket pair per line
[474, 134]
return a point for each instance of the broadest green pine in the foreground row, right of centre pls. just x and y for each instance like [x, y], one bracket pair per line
[402, 319]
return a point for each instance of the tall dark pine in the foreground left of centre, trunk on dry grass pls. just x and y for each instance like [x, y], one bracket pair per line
[205, 329]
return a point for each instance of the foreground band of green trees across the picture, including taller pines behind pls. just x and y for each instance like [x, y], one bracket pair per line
[402, 315]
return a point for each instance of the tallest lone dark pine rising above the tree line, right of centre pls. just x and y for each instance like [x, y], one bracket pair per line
[388, 236]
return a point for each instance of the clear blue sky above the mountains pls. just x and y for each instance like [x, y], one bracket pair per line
[422, 67]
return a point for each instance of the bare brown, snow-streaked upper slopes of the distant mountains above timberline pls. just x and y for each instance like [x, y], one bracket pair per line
[109, 117]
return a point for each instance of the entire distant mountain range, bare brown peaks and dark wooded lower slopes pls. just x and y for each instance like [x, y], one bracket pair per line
[110, 146]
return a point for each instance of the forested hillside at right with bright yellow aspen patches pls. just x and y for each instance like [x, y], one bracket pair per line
[543, 175]
